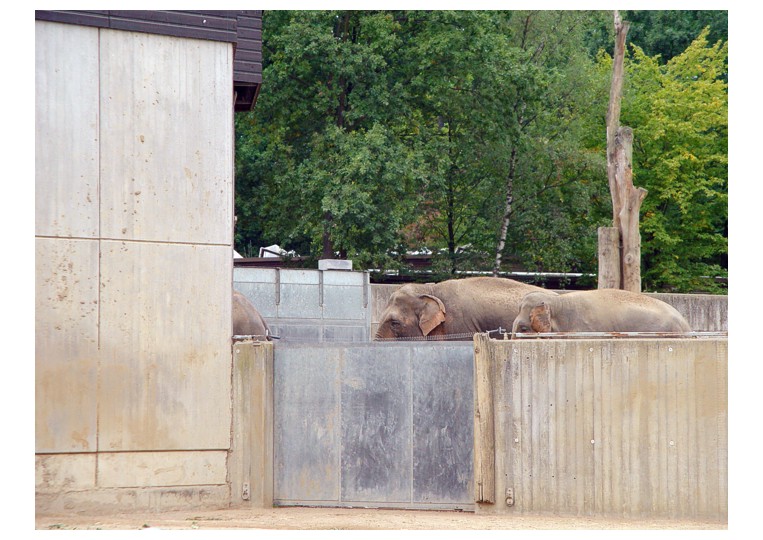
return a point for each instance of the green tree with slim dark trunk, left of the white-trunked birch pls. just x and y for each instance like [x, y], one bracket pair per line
[464, 75]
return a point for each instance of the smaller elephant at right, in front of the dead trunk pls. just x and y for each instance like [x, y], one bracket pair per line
[598, 310]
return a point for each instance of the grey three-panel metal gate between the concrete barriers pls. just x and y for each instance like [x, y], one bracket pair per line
[374, 425]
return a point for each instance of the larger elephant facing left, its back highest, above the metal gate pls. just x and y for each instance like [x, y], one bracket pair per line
[452, 309]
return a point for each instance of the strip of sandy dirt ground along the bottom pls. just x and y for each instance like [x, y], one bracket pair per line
[351, 519]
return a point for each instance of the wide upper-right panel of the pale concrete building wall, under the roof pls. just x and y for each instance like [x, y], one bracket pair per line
[156, 186]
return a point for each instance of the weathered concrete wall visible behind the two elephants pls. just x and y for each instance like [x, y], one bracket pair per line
[704, 312]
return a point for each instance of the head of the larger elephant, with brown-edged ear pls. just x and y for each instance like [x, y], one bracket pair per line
[411, 313]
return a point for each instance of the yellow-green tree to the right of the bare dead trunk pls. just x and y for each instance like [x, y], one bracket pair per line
[679, 113]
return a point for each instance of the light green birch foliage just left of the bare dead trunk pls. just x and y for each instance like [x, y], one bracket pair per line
[553, 158]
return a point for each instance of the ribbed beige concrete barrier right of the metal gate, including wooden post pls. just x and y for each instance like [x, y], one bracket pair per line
[621, 427]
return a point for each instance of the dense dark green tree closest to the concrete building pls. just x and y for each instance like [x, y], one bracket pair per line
[324, 167]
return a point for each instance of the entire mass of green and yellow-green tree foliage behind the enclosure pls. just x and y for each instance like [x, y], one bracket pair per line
[382, 132]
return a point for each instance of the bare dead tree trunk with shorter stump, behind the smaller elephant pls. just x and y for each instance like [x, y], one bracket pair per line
[620, 247]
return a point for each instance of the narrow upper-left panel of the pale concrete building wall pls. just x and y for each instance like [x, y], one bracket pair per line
[66, 130]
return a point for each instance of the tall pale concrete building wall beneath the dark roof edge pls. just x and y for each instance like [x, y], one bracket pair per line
[133, 236]
